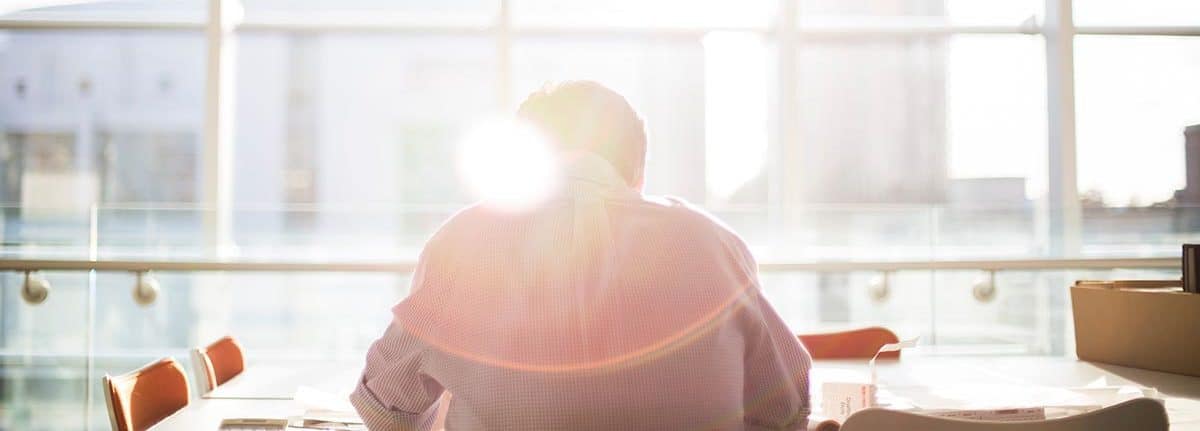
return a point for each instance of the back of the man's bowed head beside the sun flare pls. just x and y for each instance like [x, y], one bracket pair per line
[584, 116]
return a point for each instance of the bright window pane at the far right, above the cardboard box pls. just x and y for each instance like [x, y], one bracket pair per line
[1136, 97]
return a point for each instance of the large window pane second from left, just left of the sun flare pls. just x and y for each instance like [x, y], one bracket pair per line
[347, 142]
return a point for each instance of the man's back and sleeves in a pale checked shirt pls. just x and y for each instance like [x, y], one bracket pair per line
[597, 310]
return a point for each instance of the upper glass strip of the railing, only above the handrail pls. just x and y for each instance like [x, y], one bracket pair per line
[818, 232]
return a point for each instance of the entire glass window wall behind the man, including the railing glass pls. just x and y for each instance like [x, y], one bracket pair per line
[881, 130]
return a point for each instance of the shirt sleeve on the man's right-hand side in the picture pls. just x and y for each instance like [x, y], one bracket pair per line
[777, 368]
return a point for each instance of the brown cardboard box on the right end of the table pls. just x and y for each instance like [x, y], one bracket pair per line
[1144, 328]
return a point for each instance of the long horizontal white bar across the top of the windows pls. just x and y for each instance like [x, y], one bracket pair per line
[411, 22]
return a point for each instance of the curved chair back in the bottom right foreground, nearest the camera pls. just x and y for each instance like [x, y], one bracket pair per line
[1143, 415]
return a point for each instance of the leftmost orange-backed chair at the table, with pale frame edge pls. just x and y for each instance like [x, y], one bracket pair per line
[141, 399]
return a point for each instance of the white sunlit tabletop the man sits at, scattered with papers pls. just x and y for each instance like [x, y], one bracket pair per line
[911, 376]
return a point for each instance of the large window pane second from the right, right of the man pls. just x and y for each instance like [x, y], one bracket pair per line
[956, 124]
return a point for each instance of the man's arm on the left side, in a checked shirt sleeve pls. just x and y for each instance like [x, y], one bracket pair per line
[394, 393]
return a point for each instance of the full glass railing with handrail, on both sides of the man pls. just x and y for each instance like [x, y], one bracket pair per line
[53, 354]
